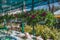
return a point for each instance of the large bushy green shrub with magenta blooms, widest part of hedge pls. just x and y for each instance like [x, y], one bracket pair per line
[40, 16]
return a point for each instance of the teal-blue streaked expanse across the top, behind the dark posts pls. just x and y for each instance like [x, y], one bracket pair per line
[7, 5]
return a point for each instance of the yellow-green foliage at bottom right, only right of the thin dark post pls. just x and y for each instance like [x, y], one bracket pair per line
[47, 32]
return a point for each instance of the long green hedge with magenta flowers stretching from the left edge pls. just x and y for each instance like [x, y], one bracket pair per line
[39, 16]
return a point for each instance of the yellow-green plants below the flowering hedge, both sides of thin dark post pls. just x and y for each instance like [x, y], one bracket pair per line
[44, 31]
